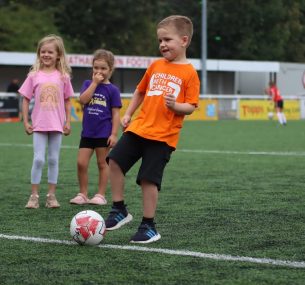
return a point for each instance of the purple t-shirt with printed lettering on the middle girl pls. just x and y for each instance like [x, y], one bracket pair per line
[97, 115]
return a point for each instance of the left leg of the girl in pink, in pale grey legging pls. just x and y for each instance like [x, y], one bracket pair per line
[39, 146]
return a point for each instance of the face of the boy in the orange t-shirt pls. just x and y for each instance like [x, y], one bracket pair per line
[172, 45]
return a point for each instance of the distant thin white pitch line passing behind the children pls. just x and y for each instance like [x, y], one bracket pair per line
[273, 153]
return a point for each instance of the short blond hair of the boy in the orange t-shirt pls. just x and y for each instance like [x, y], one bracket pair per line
[183, 25]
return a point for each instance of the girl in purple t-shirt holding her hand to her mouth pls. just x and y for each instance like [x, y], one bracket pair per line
[101, 120]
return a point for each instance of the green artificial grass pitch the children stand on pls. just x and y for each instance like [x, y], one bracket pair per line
[232, 189]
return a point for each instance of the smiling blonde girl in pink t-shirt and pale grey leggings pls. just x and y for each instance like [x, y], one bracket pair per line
[49, 85]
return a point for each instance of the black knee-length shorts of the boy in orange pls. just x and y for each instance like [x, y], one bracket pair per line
[154, 154]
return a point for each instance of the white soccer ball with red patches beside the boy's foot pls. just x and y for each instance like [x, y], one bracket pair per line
[88, 228]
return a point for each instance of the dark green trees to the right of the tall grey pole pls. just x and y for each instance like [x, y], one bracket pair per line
[256, 30]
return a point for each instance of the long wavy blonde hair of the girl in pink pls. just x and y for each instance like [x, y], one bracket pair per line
[62, 63]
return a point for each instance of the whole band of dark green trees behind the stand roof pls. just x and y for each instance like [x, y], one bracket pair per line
[237, 29]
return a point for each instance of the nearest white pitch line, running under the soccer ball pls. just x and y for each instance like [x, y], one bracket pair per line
[220, 257]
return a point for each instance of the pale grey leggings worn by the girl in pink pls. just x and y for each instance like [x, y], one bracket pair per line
[40, 142]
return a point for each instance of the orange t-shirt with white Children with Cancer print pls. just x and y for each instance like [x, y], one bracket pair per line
[155, 121]
